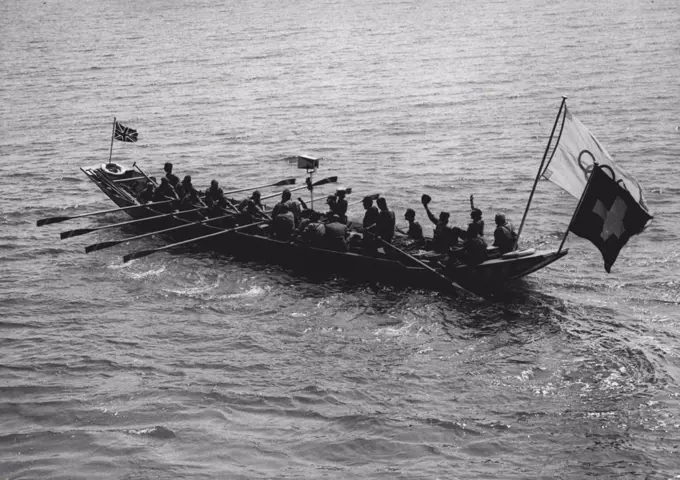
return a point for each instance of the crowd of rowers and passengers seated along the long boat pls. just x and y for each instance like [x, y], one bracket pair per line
[291, 220]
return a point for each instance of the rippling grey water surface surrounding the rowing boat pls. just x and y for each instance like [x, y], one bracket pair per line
[192, 365]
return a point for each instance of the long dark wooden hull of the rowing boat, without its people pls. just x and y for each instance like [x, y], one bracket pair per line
[419, 269]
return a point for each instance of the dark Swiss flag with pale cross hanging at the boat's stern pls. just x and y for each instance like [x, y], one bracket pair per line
[608, 215]
